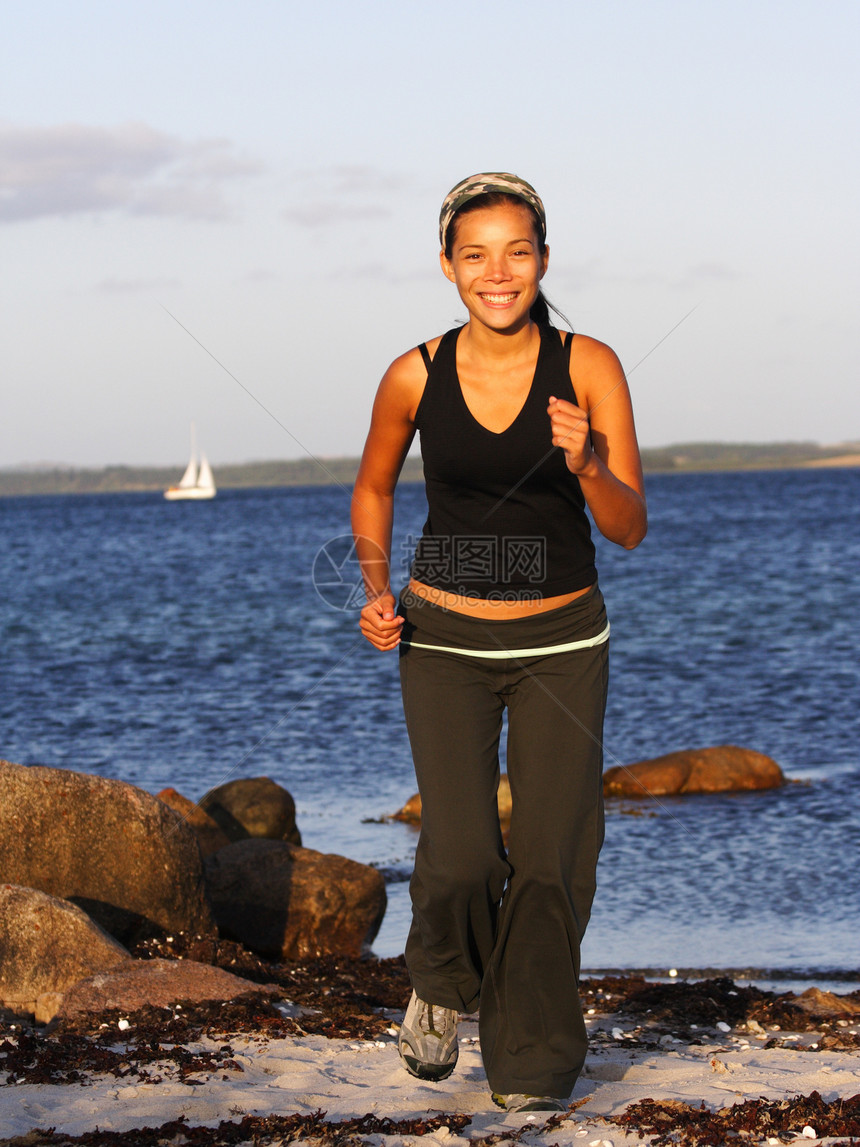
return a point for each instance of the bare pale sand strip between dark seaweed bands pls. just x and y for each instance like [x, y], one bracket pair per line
[353, 1079]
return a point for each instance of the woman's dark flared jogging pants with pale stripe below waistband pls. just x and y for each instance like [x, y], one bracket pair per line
[496, 930]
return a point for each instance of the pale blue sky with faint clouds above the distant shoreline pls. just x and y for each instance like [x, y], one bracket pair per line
[226, 214]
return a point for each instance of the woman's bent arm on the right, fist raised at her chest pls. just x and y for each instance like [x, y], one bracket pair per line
[599, 440]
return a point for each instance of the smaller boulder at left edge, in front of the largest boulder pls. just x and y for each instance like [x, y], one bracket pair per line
[46, 946]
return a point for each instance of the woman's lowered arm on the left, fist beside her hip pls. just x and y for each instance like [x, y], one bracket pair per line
[393, 428]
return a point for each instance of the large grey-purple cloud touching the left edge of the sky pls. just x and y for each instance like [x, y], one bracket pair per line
[72, 169]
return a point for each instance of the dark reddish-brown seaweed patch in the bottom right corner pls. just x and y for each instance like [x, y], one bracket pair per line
[676, 1125]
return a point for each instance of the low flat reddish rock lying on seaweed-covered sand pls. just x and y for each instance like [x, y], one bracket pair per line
[160, 984]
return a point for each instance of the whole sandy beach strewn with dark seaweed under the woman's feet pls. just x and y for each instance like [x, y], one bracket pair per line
[259, 1072]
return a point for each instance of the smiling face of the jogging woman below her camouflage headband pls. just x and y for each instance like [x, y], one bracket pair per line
[497, 264]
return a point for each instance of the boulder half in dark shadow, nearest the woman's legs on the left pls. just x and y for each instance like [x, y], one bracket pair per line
[291, 903]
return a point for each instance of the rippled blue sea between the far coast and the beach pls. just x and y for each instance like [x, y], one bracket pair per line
[190, 644]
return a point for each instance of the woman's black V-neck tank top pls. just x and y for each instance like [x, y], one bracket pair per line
[506, 517]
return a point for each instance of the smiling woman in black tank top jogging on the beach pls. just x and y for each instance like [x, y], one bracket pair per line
[522, 426]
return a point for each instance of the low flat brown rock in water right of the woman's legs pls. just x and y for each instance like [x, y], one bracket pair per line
[722, 769]
